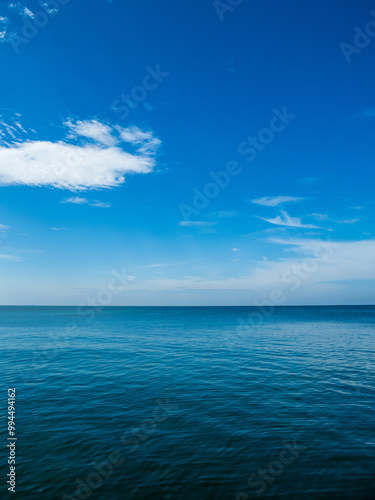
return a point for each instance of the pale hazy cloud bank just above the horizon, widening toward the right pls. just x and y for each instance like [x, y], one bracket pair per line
[337, 262]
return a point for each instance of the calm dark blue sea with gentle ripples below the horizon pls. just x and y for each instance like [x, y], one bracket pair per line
[188, 403]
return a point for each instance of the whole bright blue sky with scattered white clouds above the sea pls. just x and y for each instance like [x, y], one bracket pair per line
[216, 154]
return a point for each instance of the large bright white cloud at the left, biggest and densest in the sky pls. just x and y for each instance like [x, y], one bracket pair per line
[94, 164]
